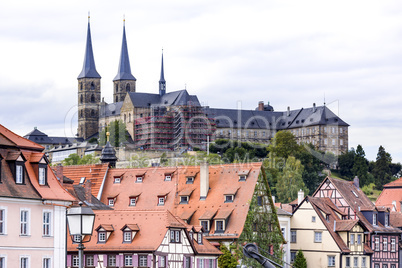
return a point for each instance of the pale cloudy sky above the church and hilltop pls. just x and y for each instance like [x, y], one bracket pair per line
[229, 53]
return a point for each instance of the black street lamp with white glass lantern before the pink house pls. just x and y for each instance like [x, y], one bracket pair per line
[80, 223]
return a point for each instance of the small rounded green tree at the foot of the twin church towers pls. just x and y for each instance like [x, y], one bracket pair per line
[117, 131]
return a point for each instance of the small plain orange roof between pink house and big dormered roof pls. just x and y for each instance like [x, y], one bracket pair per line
[96, 173]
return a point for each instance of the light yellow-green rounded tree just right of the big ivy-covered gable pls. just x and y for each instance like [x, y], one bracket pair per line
[290, 181]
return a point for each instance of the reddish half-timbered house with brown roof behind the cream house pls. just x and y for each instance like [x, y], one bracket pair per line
[382, 238]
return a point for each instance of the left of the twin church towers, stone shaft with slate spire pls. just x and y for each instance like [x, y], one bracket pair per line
[89, 93]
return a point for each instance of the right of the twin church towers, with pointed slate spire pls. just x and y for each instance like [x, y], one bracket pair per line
[124, 81]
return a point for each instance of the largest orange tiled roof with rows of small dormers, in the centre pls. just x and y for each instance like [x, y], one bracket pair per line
[221, 177]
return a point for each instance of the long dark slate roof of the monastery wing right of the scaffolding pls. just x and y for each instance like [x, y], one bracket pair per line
[254, 119]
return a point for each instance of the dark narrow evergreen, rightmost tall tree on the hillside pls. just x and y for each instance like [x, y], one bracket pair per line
[382, 170]
